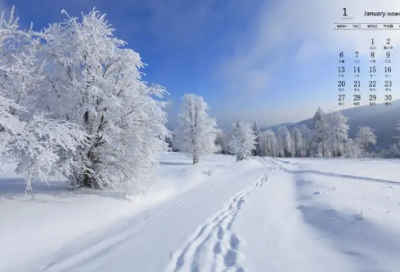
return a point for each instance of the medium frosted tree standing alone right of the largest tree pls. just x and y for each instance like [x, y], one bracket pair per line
[196, 132]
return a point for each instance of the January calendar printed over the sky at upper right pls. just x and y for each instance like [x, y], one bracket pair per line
[369, 78]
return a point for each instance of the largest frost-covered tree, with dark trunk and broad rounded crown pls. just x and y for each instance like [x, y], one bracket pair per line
[93, 81]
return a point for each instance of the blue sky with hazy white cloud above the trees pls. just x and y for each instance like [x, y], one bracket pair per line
[265, 61]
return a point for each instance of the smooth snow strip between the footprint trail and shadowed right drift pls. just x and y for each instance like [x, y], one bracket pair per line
[279, 239]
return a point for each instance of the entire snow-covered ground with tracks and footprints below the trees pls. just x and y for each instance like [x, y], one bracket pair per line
[253, 216]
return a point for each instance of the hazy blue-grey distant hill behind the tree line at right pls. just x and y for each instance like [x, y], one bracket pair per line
[383, 119]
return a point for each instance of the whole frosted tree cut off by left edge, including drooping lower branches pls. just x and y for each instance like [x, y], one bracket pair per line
[35, 142]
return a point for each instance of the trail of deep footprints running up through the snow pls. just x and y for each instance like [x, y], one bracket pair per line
[213, 246]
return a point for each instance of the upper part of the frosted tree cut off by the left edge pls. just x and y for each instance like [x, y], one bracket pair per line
[19, 75]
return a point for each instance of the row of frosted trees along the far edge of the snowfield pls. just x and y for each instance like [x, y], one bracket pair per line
[328, 136]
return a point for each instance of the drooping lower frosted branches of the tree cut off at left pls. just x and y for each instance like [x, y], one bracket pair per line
[43, 147]
